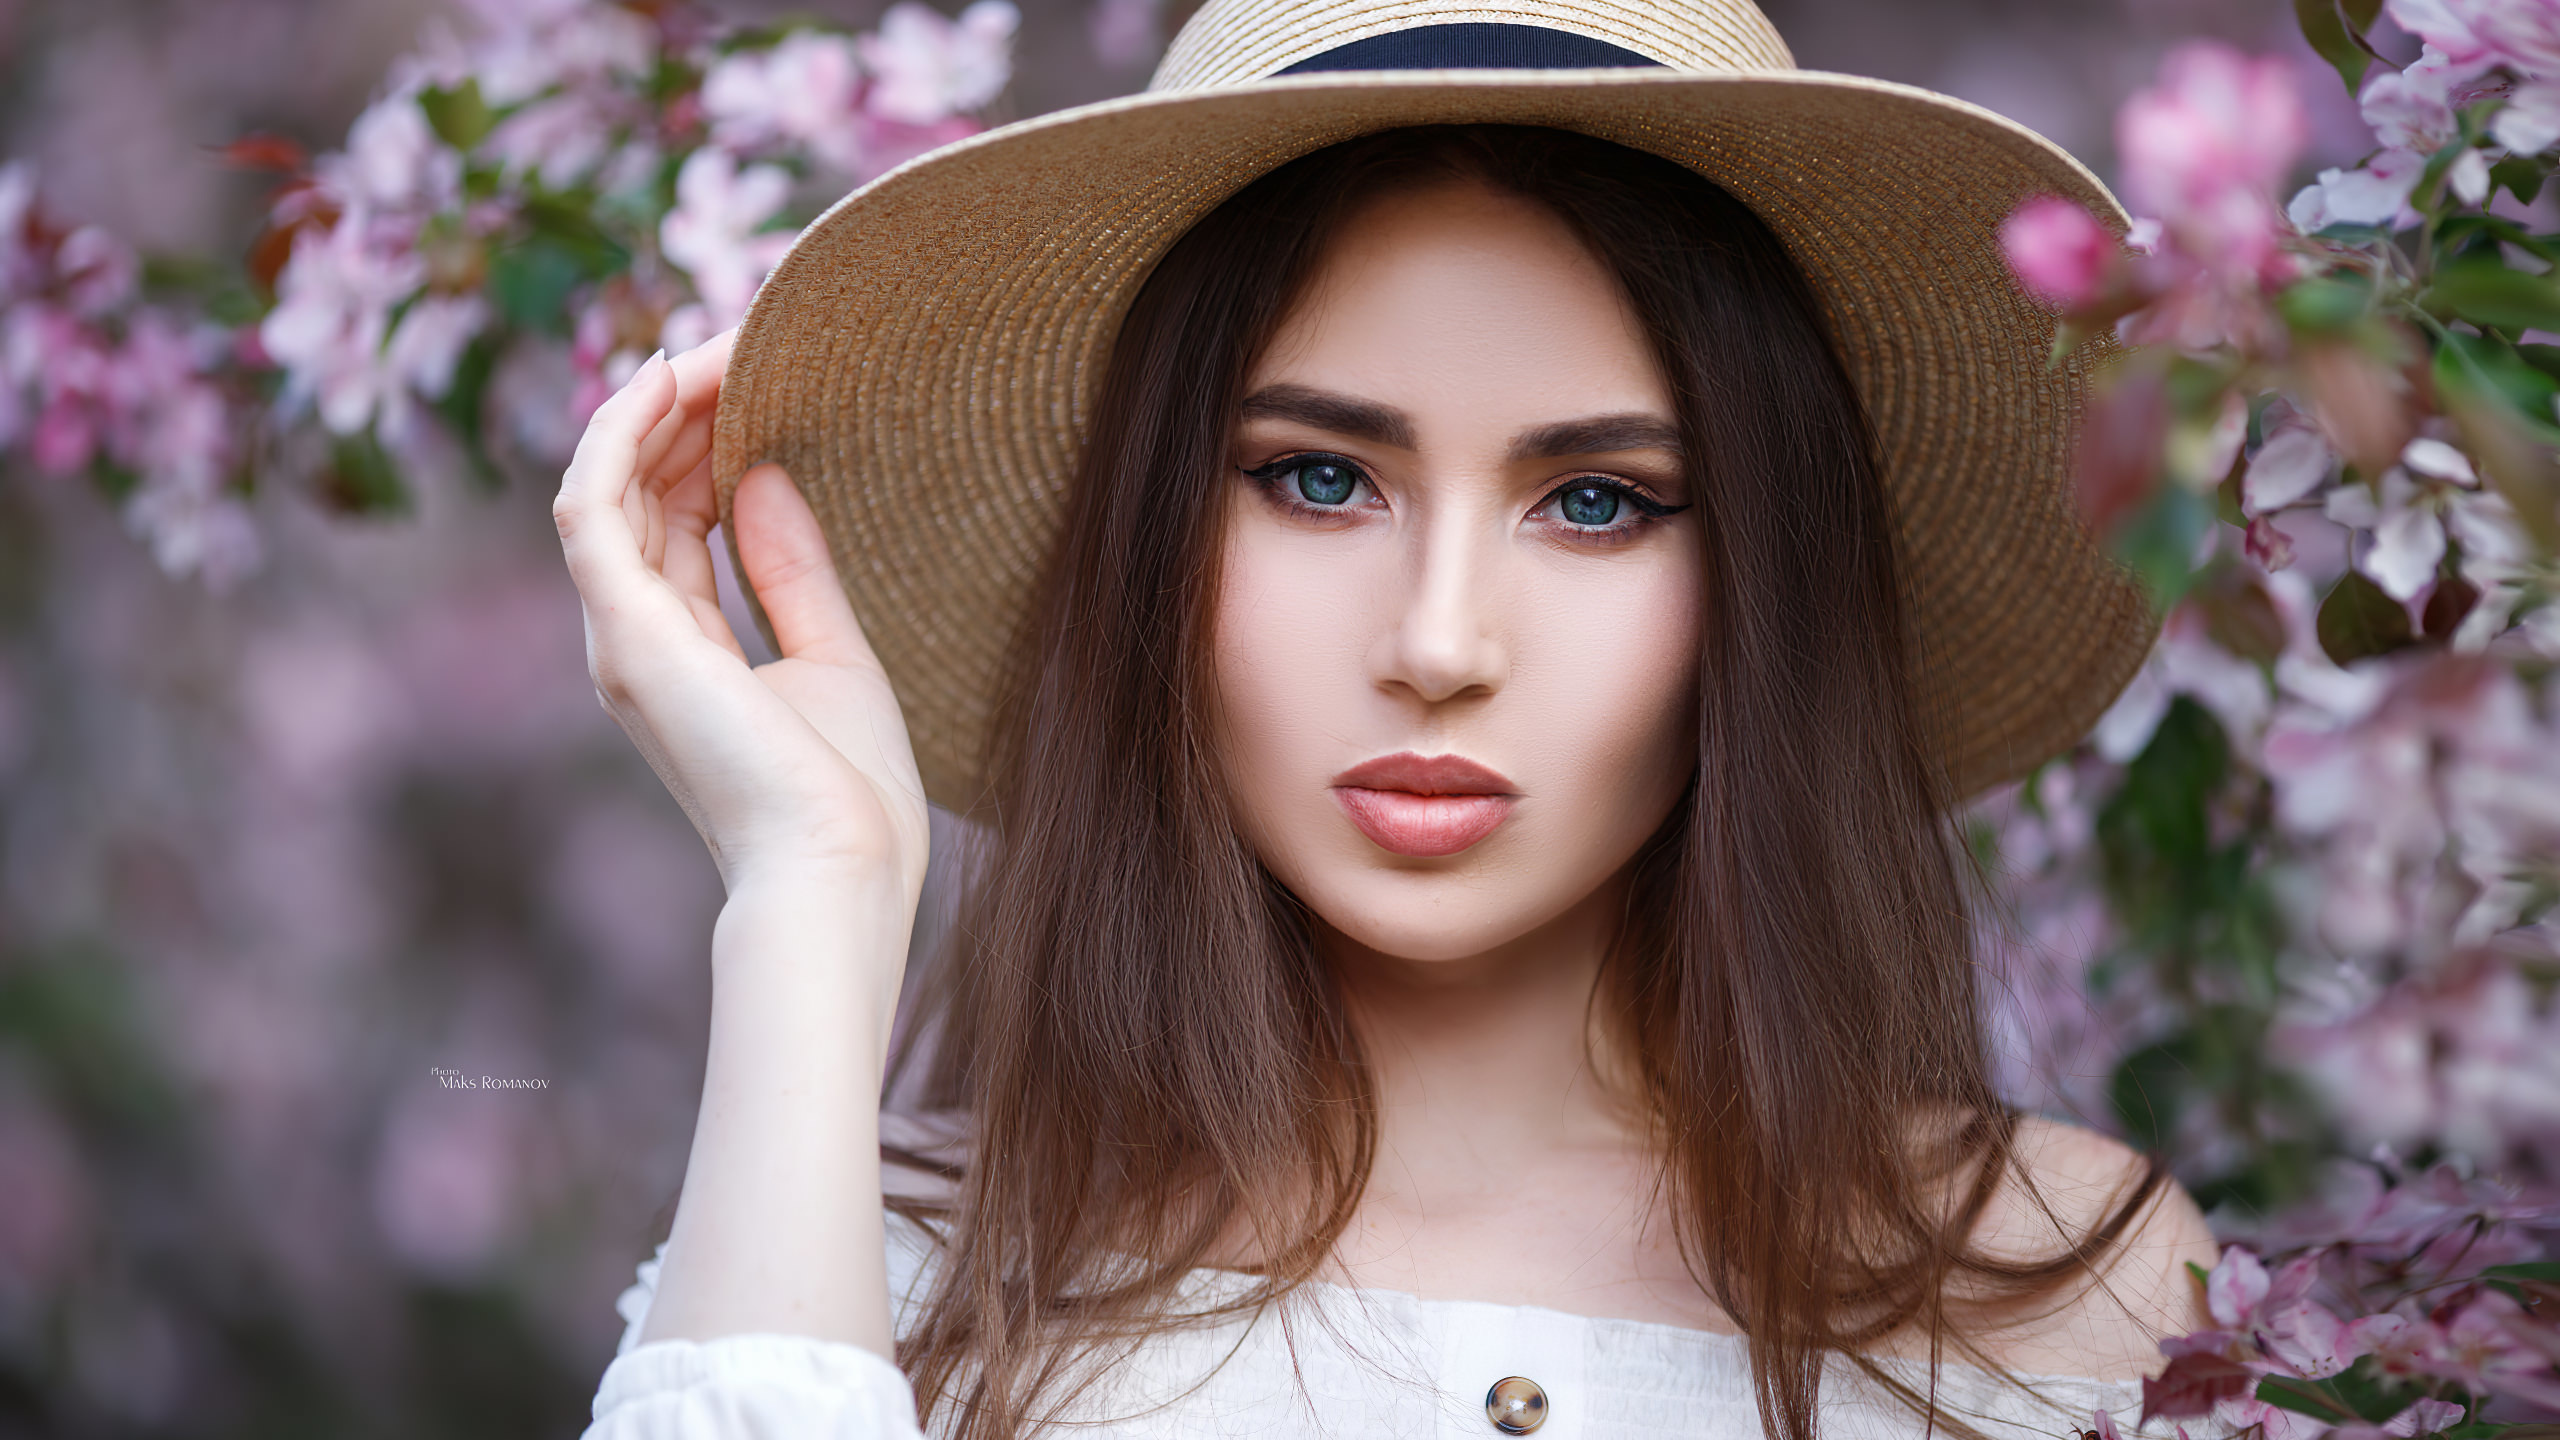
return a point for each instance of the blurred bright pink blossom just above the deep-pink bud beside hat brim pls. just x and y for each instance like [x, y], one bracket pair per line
[2205, 147]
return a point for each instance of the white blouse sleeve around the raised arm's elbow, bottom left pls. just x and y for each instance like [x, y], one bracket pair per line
[744, 1387]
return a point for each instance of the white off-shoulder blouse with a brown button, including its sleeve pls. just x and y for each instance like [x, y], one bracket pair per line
[1330, 1362]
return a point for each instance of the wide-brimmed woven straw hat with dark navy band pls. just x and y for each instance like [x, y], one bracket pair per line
[928, 355]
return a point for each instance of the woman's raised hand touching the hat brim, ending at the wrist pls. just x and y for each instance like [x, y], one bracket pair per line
[792, 767]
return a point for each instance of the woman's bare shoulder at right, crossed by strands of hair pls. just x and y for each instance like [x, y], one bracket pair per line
[2106, 1323]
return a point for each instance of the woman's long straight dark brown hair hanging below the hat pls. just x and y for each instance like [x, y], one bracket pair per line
[1135, 1016]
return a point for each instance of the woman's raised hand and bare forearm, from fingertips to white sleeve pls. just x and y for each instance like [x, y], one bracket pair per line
[803, 783]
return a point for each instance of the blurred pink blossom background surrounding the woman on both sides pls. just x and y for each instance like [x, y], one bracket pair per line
[306, 798]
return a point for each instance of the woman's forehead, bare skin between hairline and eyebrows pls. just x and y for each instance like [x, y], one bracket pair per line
[1460, 304]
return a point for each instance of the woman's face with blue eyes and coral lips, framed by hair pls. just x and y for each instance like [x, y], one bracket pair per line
[1460, 609]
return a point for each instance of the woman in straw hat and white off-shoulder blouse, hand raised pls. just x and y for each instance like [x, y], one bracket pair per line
[1458, 637]
